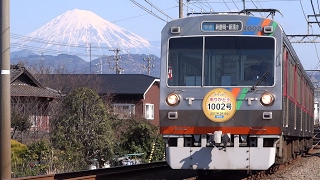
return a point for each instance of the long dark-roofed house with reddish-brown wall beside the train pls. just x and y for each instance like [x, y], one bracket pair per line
[132, 94]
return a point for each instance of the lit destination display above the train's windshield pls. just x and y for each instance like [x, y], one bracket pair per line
[221, 26]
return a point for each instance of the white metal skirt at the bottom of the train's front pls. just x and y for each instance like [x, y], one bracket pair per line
[220, 158]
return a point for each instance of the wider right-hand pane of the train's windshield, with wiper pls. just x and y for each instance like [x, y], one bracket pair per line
[238, 61]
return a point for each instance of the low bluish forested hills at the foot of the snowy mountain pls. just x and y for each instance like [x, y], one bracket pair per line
[63, 63]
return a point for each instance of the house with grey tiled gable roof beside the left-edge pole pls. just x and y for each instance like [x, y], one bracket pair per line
[29, 98]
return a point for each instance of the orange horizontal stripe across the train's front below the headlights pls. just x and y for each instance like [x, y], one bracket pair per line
[232, 130]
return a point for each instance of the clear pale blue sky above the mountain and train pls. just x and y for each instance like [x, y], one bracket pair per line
[28, 16]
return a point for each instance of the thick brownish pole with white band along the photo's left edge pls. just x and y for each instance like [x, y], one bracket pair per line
[5, 109]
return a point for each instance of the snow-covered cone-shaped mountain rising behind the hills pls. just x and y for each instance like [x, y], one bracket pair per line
[75, 31]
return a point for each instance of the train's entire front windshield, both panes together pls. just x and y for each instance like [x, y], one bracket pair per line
[221, 61]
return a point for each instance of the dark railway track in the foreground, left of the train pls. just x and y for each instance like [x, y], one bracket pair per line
[149, 171]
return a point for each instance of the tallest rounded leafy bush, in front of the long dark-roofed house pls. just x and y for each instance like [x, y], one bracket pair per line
[82, 131]
